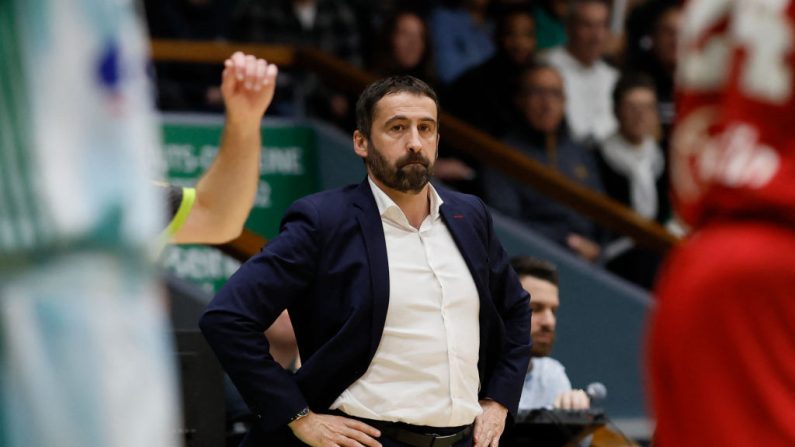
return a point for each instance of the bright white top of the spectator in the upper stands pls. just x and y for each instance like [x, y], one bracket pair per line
[589, 95]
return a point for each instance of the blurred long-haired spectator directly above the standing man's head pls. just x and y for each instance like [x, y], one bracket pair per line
[404, 48]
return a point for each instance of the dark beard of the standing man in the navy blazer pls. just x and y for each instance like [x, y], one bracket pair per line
[405, 176]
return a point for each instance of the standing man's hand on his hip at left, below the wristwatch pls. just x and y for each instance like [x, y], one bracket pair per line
[325, 430]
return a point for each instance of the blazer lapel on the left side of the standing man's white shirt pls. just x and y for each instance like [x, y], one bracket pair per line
[375, 244]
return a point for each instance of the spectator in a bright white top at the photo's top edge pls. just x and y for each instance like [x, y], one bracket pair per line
[589, 80]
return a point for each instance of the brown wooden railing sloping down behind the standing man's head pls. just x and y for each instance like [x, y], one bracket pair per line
[456, 133]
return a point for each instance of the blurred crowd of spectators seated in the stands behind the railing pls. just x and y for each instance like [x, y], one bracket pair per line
[582, 86]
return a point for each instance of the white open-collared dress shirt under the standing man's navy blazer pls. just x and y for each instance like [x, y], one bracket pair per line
[424, 371]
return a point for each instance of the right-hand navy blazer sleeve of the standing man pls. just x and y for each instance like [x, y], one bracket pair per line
[513, 305]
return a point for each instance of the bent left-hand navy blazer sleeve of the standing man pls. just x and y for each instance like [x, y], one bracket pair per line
[235, 320]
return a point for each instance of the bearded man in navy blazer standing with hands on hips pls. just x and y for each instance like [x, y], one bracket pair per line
[331, 267]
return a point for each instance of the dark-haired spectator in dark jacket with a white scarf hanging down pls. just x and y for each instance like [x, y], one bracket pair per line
[632, 167]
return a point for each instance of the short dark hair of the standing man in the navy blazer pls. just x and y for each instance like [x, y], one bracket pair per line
[365, 105]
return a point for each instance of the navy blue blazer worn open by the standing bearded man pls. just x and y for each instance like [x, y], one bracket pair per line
[328, 267]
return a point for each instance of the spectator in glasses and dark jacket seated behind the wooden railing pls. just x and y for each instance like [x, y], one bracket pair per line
[545, 137]
